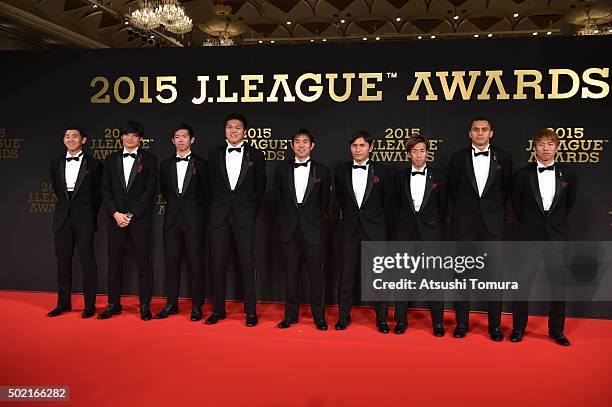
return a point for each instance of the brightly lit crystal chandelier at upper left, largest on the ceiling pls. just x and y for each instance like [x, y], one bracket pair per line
[150, 14]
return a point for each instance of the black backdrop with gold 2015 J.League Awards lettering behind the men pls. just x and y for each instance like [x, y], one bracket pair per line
[41, 92]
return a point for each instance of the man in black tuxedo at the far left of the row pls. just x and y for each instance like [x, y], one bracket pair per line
[76, 178]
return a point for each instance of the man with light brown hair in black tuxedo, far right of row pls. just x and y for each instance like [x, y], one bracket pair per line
[543, 194]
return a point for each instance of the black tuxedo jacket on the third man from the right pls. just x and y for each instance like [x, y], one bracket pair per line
[429, 220]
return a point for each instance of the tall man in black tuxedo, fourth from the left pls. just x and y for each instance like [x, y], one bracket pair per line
[238, 180]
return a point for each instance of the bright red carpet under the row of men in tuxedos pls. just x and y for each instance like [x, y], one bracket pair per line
[124, 361]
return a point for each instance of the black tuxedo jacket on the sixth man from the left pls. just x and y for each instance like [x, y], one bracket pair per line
[375, 214]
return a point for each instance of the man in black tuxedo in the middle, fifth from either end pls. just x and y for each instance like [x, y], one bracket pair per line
[302, 193]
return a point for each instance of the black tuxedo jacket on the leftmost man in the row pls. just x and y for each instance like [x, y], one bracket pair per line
[86, 198]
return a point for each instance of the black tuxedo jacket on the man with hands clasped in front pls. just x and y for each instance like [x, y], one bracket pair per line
[139, 196]
